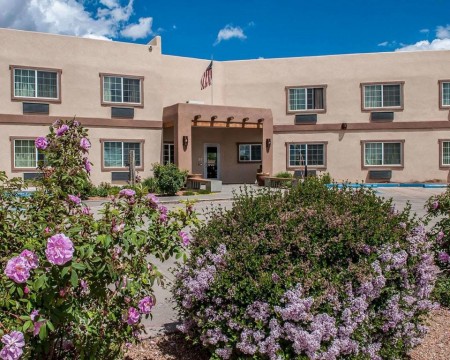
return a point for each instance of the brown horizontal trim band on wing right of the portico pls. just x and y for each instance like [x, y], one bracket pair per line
[403, 125]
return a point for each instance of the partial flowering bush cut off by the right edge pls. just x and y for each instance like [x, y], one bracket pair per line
[439, 207]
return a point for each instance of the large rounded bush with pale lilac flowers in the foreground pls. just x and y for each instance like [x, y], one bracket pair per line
[314, 273]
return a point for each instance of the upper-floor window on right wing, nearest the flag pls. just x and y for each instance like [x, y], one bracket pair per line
[306, 98]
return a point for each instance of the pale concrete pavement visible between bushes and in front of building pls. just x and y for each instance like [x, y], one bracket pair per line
[164, 315]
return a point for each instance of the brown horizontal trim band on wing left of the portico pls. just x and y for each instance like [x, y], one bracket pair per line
[89, 122]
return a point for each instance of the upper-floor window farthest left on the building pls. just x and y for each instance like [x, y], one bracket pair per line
[36, 84]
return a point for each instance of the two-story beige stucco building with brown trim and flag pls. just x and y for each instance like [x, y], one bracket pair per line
[361, 117]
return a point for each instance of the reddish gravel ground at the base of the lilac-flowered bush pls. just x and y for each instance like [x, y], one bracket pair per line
[173, 346]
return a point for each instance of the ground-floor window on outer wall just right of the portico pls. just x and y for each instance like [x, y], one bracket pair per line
[306, 154]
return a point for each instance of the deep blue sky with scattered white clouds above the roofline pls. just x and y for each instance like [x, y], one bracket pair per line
[244, 29]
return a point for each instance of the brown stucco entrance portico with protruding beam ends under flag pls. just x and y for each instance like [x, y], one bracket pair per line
[223, 142]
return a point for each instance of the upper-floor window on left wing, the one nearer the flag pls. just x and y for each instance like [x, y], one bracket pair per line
[122, 90]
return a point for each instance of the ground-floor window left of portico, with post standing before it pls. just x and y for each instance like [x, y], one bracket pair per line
[116, 153]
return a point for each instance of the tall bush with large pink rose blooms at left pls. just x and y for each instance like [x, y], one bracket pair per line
[73, 285]
